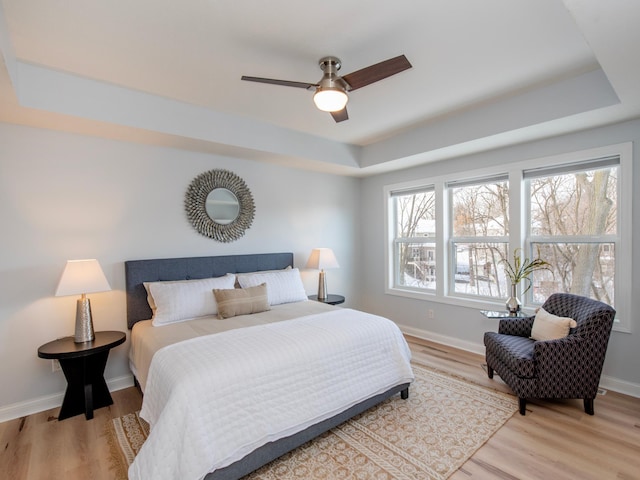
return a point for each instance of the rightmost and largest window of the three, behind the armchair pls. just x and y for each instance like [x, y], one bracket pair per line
[573, 223]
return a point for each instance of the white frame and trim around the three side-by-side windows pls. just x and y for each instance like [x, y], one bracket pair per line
[518, 215]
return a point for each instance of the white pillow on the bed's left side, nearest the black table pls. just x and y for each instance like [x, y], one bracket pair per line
[185, 299]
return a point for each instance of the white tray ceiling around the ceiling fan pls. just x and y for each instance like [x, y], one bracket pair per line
[485, 74]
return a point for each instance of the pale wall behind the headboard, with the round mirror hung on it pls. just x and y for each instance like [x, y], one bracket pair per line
[65, 196]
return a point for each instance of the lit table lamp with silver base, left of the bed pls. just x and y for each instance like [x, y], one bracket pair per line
[79, 278]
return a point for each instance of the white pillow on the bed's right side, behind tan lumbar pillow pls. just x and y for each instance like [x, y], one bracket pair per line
[284, 286]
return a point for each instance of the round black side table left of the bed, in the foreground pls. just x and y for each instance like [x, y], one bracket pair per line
[83, 366]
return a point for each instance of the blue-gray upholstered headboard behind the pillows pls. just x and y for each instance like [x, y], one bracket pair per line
[164, 269]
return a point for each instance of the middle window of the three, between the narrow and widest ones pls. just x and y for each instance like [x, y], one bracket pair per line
[479, 212]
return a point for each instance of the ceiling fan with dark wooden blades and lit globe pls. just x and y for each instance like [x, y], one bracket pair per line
[331, 91]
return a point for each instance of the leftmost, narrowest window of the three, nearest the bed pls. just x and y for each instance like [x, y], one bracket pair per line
[414, 237]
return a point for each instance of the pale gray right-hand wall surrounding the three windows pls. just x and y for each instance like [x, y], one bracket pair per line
[464, 327]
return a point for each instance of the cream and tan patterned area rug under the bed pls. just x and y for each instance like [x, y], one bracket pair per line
[429, 436]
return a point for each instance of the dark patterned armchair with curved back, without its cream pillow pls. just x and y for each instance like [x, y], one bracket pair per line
[568, 367]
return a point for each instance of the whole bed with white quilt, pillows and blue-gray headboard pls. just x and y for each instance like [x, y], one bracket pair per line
[226, 396]
